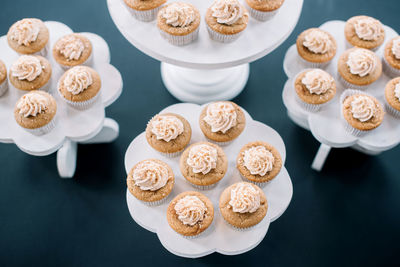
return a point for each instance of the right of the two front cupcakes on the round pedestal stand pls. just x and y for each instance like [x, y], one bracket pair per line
[226, 20]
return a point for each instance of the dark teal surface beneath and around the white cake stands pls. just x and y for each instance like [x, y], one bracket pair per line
[346, 215]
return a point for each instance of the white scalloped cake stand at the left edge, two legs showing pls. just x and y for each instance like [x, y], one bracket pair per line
[73, 126]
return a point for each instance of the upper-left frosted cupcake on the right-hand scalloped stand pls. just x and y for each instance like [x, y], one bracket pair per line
[316, 48]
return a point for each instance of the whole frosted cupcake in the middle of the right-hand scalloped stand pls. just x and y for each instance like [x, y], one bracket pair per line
[358, 68]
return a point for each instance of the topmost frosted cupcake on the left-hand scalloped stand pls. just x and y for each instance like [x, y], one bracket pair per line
[29, 36]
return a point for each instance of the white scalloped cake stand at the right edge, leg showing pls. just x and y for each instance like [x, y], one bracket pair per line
[326, 125]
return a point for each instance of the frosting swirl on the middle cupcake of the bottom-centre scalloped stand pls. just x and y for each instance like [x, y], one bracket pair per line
[202, 158]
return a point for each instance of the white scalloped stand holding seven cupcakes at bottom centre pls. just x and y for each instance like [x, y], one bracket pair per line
[220, 237]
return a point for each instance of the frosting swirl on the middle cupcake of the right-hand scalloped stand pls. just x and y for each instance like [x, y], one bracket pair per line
[361, 62]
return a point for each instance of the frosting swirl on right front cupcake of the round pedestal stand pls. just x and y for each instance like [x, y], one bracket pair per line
[227, 11]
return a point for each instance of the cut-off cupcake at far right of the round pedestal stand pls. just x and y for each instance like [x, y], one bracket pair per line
[263, 10]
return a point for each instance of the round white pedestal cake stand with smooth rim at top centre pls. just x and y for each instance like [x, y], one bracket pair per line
[206, 70]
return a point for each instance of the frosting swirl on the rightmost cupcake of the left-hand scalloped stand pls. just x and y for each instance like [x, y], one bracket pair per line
[77, 80]
